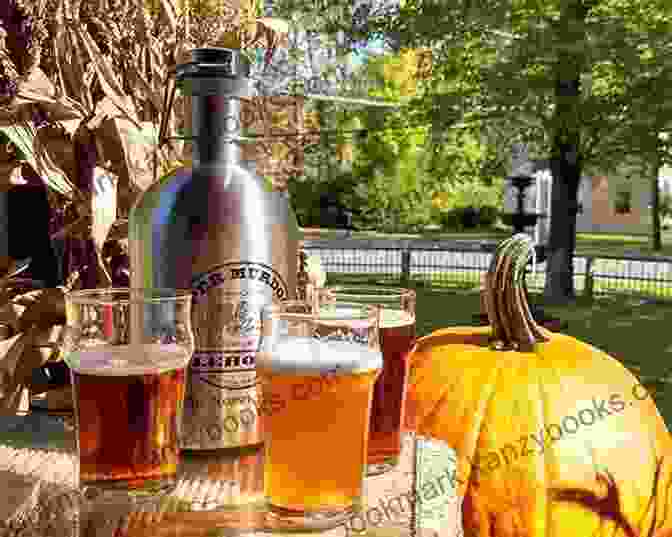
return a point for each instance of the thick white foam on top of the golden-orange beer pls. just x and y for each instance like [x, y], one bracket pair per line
[310, 356]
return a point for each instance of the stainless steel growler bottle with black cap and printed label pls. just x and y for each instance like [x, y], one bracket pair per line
[216, 228]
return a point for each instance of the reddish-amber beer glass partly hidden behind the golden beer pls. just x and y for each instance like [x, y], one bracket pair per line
[397, 337]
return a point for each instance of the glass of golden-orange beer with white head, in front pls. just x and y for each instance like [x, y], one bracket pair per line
[317, 373]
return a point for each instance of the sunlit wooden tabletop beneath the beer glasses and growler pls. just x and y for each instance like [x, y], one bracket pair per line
[391, 507]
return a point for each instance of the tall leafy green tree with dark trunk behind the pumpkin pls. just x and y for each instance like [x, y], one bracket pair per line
[530, 64]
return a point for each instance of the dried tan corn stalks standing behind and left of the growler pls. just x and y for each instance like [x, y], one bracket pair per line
[81, 98]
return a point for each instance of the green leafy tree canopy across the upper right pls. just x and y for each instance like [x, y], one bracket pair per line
[497, 63]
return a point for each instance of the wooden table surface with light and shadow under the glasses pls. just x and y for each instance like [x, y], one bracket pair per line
[218, 494]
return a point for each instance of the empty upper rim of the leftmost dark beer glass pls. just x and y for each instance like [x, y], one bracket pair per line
[108, 295]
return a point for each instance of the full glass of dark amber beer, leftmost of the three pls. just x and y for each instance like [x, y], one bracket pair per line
[127, 350]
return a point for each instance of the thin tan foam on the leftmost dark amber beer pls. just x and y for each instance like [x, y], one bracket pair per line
[122, 360]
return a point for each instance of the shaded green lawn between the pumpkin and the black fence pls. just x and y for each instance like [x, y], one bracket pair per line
[631, 330]
